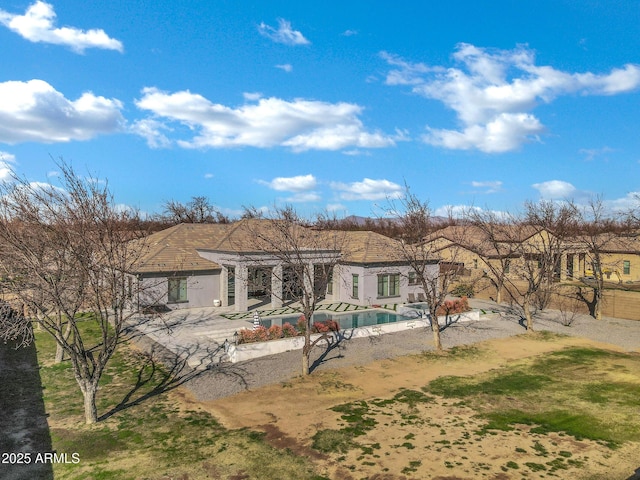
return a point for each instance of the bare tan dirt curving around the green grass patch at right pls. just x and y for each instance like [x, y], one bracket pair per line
[438, 440]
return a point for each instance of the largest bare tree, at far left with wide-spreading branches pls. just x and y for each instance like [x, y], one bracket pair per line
[66, 255]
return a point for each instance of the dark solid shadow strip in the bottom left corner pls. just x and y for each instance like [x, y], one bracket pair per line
[23, 418]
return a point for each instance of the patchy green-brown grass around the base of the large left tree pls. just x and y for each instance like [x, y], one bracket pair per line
[147, 433]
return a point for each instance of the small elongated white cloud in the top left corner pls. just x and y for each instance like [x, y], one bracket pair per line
[37, 25]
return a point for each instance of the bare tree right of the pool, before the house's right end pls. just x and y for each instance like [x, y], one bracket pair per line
[433, 271]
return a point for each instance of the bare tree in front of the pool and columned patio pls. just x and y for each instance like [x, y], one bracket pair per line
[301, 261]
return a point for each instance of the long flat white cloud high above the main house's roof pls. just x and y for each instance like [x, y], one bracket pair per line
[299, 124]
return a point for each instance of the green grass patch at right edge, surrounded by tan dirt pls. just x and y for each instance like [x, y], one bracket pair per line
[576, 390]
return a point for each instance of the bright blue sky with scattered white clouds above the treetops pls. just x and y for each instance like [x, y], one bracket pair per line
[332, 105]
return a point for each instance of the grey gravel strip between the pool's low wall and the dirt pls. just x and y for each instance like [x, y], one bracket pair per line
[229, 379]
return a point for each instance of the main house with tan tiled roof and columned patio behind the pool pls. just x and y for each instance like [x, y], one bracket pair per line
[196, 265]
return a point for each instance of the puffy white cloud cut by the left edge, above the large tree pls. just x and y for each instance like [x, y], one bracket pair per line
[34, 111]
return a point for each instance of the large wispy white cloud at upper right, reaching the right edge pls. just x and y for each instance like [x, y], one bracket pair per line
[493, 91]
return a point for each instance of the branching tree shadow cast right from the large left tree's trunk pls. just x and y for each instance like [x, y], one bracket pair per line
[162, 371]
